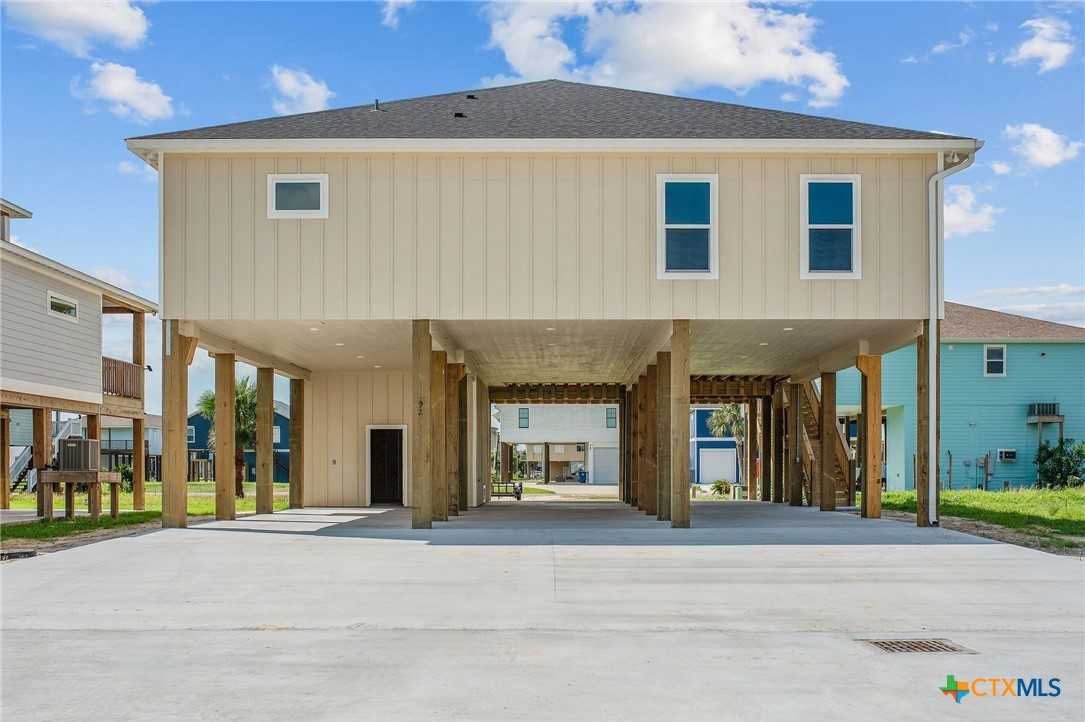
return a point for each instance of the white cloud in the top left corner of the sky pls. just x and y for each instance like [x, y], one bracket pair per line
[78, 27]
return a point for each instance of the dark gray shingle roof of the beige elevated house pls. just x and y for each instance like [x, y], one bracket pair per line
[552, 109]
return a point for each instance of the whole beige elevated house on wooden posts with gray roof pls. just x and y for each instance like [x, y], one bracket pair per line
[410, 263]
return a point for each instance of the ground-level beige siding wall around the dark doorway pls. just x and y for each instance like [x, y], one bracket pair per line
[339, 406]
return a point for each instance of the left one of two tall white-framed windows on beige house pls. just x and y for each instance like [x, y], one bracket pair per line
[687, 226]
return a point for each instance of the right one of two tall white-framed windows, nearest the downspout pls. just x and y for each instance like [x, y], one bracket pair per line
[831, 242]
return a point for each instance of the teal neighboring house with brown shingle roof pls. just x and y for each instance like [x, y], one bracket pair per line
[1007, 383]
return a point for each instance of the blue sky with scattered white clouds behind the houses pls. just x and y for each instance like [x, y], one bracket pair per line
[78, 80]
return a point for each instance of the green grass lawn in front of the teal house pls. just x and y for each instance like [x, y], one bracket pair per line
[1040, 512]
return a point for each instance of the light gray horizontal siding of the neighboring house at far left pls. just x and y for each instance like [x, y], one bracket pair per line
[43, 353]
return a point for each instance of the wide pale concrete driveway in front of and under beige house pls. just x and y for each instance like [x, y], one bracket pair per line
[538, 612]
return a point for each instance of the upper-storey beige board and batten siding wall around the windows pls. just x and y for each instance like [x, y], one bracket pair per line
[520, 236]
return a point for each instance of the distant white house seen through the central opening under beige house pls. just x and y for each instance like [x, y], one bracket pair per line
[565, 438]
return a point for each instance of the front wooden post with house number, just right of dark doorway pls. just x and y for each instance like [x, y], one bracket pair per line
[422, 347]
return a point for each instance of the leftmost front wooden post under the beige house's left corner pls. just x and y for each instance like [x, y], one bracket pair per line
[175, 399]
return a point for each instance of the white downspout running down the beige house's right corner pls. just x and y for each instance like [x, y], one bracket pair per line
[936, 312]
